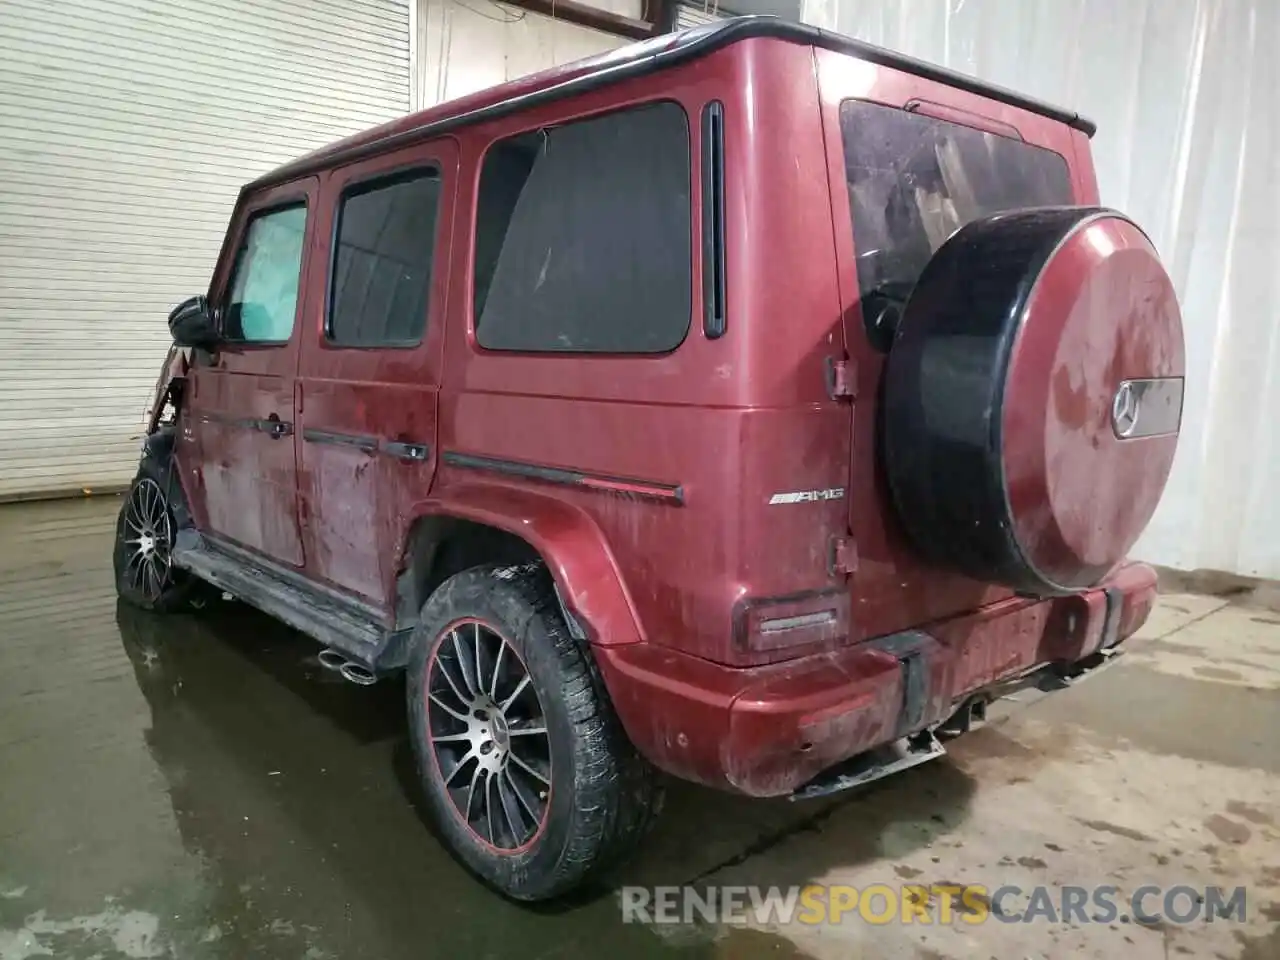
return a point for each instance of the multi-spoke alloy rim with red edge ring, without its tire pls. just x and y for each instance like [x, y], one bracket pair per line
[490, 735]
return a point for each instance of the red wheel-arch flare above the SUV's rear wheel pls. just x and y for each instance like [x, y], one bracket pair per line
[569, 541]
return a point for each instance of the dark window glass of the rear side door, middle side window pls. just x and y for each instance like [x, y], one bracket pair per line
[382, 266]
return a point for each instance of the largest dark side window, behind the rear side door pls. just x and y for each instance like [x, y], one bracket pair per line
[584, 236]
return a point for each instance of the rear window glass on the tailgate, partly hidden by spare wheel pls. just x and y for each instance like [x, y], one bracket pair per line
[915, 181]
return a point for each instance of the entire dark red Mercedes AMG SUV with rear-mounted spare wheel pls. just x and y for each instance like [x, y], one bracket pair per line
[749, 404]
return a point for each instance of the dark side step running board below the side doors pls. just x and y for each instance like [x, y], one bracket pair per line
[336, 621]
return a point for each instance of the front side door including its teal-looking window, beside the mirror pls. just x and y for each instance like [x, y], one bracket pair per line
[237, 446]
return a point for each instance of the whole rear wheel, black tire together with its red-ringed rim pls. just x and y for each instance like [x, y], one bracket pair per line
[561, 807]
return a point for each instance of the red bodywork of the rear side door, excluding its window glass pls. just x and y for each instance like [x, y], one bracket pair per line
[368, 415]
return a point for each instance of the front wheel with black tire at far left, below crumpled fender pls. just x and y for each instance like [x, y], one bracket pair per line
[145, 533]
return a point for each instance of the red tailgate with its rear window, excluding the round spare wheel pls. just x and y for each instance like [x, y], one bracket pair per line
[911, 162]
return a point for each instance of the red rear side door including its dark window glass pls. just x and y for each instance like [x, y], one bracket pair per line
[371, 369]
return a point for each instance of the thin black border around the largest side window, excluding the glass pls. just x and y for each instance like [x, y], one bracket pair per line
[694, 240]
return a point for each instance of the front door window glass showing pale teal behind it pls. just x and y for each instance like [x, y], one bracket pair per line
[264, 290]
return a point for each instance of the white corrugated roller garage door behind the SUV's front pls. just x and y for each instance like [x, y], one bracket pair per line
[126, 131]
